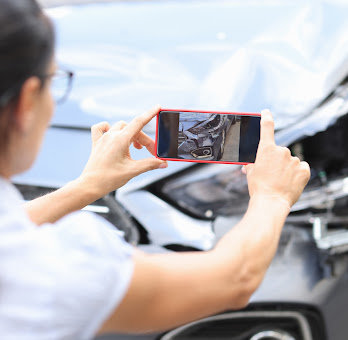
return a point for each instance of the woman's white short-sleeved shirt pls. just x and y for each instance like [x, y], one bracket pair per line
[72, 274]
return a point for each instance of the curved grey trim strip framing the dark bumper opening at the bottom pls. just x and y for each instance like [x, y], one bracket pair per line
[304, 326]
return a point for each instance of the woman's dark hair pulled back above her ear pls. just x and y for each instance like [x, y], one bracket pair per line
[26, 49]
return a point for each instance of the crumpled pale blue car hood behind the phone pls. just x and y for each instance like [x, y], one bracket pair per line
[236, 55]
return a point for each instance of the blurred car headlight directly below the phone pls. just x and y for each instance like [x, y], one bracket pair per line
[208, 190]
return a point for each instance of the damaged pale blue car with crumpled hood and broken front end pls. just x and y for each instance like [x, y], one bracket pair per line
[224, 56]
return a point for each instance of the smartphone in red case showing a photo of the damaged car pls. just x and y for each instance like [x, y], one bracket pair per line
[207, 137]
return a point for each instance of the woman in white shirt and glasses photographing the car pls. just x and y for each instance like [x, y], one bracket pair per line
[74, 276]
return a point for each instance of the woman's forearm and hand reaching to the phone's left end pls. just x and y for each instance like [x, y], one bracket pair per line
[109, 167]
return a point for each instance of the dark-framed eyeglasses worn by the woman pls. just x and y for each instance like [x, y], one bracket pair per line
[61, 84]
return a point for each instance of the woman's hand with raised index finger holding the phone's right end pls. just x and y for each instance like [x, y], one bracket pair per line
[275, 172]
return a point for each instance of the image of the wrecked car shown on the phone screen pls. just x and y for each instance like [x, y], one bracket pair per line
[203, 136]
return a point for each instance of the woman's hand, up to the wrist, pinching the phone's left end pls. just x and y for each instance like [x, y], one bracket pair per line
[110, 165]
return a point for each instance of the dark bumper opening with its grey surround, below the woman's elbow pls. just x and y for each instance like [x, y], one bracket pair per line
[248, 325]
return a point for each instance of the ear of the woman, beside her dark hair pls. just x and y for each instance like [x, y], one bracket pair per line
[27, 101]
